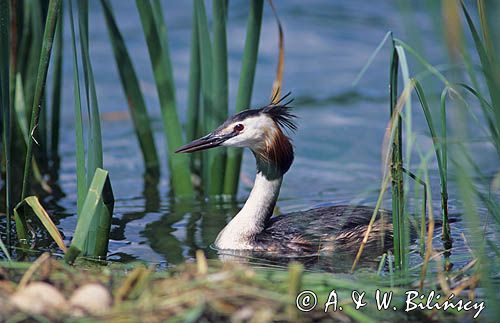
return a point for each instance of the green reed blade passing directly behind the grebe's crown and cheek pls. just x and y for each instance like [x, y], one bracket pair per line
[245, 89]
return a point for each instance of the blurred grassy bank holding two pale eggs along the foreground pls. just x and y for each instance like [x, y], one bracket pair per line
[208, 290]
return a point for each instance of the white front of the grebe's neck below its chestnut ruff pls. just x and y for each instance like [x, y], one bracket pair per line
[240, 232]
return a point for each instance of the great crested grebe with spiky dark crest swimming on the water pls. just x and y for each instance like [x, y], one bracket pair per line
[254, 228]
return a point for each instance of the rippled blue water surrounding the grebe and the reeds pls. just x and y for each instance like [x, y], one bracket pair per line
[338, 145]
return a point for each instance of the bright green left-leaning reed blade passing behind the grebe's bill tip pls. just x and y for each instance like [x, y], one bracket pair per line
[155, 33]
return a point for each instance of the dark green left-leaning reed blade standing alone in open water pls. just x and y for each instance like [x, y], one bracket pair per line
[135, 99]
